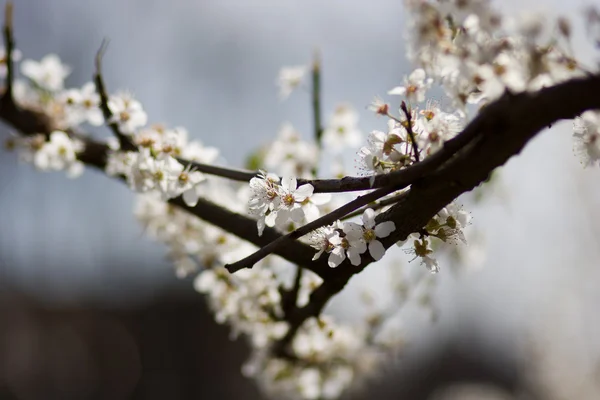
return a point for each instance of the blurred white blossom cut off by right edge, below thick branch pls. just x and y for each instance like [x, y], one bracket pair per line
[586, 135]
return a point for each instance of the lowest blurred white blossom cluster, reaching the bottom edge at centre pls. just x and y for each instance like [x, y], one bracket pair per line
[330, 358]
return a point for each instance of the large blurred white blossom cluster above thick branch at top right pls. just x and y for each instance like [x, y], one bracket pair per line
[476, 54]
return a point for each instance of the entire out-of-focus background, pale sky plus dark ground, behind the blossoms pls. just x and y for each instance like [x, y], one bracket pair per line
[90, 308]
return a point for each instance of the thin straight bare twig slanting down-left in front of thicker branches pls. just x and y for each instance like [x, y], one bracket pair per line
[327, 219]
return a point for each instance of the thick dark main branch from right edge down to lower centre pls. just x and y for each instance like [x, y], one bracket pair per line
[500, 131]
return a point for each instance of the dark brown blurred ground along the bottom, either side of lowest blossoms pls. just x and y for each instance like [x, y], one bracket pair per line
[171, 348]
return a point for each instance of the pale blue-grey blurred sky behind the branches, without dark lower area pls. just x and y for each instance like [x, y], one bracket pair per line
[210, 66]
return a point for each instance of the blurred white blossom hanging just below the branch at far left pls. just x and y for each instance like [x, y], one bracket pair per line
[58, 154]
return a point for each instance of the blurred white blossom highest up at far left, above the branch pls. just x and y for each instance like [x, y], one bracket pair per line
[49, 73]
